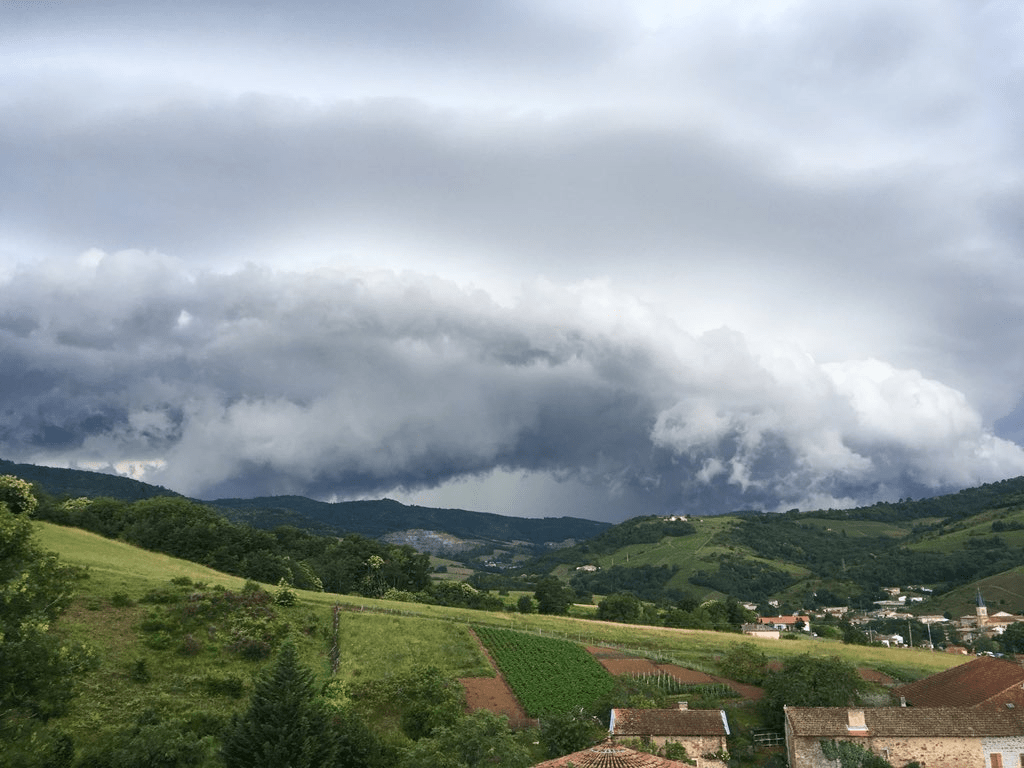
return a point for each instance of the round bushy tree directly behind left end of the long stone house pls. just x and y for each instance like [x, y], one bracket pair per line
[810, 681]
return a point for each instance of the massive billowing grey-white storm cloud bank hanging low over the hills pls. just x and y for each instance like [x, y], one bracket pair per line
[344, 386]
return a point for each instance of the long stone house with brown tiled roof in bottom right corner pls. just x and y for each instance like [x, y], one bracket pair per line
[944, 738]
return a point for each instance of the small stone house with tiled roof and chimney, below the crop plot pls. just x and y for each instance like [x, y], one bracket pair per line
[701, 732]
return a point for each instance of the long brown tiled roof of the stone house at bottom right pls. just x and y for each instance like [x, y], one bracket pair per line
[832, 722]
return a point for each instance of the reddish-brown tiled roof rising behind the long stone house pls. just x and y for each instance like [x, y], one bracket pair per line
[984, 682]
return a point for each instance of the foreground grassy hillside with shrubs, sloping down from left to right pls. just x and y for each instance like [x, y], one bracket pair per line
[151, 666]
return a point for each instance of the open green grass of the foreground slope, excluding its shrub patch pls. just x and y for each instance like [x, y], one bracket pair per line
[377, 637]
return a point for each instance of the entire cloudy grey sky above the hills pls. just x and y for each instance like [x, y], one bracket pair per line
[534, 258]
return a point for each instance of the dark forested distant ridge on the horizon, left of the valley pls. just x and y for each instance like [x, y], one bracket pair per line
[370, 519]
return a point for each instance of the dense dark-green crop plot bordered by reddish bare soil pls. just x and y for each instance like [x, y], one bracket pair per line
[548, 676]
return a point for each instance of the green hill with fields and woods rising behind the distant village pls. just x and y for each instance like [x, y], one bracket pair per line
[950, 545]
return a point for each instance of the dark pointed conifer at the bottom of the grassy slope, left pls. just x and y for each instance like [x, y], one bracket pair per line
[286, 723]
